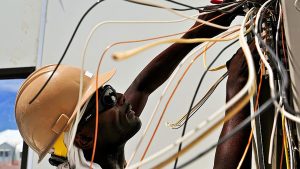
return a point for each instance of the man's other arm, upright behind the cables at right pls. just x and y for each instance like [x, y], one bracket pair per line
[228, 154]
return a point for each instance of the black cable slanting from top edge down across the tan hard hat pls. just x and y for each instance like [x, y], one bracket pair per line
[62, 57]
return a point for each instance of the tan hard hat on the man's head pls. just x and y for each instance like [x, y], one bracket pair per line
[53, 111]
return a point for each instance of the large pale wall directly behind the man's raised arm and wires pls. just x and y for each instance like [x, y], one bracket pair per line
[61, 21]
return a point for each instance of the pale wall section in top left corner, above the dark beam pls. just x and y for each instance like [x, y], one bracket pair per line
[20, 21]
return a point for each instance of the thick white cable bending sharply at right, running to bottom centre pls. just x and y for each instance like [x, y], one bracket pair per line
[250, 86]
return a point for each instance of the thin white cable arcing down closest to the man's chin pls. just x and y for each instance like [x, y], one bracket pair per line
[174, 74]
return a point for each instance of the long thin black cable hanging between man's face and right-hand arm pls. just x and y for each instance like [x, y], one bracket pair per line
[196, 92]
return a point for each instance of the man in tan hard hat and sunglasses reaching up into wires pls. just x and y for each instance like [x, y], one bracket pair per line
[118, 113]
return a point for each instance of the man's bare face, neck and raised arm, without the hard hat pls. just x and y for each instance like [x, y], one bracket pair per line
[116, 126]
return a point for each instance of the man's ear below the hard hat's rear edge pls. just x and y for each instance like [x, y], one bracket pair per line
[83, 139]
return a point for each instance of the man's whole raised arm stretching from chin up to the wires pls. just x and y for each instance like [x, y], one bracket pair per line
[162, 66]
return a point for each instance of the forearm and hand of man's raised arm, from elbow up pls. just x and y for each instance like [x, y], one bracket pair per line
[161, 67]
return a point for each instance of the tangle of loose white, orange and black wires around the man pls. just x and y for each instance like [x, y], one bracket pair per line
[235, 103]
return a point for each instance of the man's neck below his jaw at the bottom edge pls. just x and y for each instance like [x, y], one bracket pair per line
[112, 158]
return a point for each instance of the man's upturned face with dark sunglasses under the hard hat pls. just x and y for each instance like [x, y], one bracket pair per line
[117, 122]
